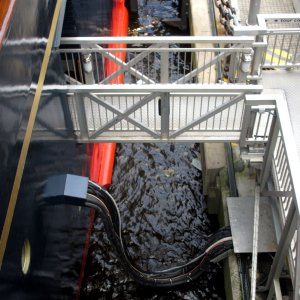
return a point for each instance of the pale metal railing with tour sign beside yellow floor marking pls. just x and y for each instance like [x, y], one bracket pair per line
[277, 41]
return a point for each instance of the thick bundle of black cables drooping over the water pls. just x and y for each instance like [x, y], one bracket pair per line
[217, 244]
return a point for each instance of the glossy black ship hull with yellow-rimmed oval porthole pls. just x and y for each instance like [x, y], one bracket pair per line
[56, 235]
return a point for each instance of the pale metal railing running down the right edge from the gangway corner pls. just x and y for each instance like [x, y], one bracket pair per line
[281, 163]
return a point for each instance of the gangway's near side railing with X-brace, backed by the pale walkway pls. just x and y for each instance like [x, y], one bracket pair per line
[156, 112]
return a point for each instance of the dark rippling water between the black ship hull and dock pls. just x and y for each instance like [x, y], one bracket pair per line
[159, 194]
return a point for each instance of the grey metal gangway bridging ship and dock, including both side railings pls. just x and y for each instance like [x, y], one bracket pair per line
[170, 95]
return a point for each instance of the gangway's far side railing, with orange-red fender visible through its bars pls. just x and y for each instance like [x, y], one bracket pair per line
[153, 60]
